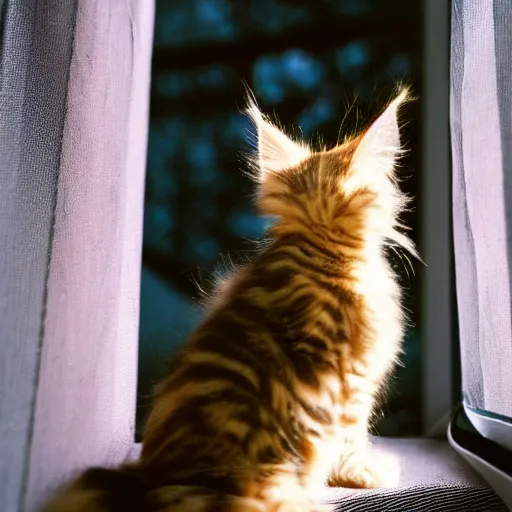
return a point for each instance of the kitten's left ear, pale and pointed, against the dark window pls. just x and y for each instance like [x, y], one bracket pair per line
[276, 151]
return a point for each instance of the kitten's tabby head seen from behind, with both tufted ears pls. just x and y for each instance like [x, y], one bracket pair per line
[348, 193]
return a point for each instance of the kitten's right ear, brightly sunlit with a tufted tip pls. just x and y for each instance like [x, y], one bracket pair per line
[379, 148]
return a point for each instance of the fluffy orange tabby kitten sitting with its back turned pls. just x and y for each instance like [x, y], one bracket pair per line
[271, 396]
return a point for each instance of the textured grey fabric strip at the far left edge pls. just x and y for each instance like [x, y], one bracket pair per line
[34, 67]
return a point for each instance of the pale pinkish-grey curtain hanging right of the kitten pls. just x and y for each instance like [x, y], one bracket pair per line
[481, 126]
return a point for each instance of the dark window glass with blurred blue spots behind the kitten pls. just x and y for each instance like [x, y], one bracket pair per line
[305, 61]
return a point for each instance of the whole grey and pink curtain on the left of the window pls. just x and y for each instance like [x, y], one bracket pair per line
[74, 96]
